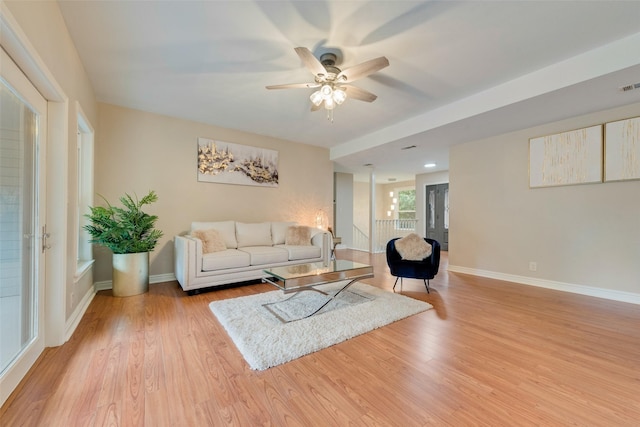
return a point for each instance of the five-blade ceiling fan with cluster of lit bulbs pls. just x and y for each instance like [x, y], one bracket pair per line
[332, 83]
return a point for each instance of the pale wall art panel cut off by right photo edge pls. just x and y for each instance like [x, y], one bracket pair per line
[622, 150]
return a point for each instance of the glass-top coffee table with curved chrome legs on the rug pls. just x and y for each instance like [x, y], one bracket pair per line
[307, 277]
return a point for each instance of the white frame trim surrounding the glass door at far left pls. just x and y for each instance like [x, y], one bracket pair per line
[14, 42]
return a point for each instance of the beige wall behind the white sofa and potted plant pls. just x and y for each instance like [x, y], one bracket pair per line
[137, 152]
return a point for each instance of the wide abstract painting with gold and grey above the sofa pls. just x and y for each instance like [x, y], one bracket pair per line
[229, 163]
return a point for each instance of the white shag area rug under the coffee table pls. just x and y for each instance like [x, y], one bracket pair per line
[265, 341]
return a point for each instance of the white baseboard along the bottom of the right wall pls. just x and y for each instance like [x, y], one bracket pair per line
[610, 294]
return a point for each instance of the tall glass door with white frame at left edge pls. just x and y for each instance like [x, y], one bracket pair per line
[22, 227]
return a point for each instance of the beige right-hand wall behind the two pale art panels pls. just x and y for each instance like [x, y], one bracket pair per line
[586, 235]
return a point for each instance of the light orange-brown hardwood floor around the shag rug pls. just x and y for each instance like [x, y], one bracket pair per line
[490, 353]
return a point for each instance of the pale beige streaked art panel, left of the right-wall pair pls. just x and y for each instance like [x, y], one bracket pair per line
[566, 158]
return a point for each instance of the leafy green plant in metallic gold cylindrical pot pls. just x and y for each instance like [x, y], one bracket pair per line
[129, 233]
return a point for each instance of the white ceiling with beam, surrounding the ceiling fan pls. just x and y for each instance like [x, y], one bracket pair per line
[458, 70]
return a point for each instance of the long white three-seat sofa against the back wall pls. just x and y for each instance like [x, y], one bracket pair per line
[248, 249]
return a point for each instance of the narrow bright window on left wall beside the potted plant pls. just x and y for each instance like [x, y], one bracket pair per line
[84, 190]
